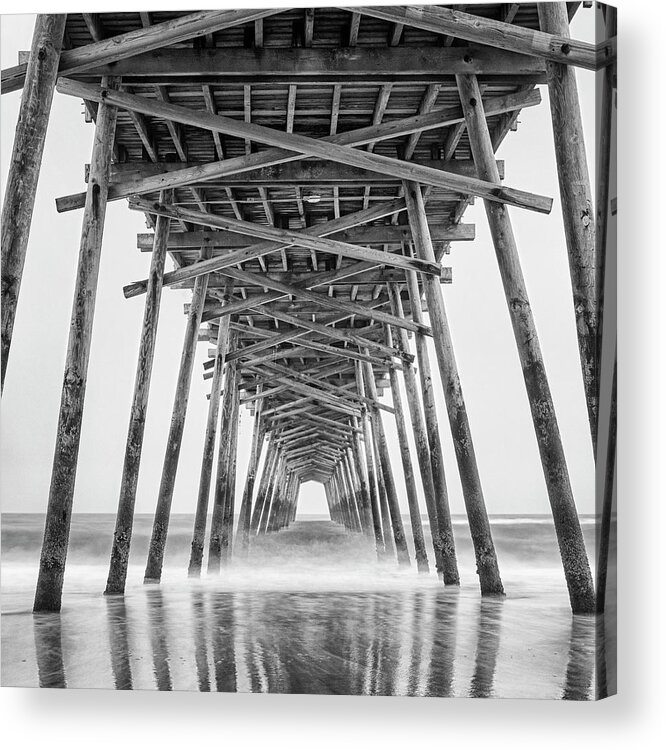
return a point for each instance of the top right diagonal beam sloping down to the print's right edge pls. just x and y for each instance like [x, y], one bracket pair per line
[487, 31]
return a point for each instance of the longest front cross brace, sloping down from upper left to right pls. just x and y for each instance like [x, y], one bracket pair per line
[324, 148]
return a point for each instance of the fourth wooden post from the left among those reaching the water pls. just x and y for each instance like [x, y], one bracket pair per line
[199, 534]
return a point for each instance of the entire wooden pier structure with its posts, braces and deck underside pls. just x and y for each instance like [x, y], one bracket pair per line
[306, 171]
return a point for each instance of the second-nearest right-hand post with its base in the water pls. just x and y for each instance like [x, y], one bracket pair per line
[484, 549]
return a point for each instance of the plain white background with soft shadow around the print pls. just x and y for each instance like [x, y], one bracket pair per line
[73, 719]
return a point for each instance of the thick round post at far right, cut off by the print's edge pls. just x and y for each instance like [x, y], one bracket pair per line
[577, 207]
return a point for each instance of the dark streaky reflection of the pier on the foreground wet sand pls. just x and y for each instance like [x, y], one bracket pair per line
[423, 642]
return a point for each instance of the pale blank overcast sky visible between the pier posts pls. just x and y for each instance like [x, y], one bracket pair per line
[487, 358]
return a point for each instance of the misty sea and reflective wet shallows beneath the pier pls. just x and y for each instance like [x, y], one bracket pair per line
[310, 611]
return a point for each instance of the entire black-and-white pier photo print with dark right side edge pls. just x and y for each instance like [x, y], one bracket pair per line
[335, 419]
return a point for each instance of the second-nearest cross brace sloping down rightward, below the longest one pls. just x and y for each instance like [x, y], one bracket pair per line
[288, 236]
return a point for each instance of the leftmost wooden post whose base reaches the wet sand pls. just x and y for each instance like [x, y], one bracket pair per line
[48, 595]
